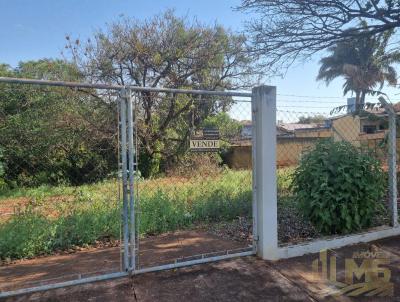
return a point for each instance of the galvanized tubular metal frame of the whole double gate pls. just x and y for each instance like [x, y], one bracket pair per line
[129, 101]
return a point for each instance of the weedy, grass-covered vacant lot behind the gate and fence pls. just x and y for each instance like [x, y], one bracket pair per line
[44, 220]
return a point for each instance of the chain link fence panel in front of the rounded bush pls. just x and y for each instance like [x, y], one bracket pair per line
[334, 187]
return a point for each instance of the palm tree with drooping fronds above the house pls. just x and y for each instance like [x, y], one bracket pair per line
[363, 62]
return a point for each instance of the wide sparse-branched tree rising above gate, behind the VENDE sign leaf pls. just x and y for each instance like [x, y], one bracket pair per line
[171, 52]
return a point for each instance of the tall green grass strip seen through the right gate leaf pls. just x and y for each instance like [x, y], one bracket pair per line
[167, 207]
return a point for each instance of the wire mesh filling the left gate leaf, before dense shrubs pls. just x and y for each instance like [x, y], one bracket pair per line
[59, 186]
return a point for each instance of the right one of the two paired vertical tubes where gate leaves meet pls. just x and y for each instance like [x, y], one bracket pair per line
[131, 159]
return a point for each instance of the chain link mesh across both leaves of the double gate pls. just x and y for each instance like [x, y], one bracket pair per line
[96, 183]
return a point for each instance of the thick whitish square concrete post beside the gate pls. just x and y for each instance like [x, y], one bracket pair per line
[264, 184]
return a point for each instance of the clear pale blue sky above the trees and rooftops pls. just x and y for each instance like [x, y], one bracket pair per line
[31, 30]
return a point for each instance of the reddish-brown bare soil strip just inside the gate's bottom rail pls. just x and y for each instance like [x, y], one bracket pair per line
[157, 250]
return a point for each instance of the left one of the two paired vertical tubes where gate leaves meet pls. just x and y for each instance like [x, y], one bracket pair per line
[124, 168]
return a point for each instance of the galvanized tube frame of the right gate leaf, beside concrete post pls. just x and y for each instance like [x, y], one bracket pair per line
[130, 99]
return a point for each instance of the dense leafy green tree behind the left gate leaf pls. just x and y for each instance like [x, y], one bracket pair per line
[54, 135]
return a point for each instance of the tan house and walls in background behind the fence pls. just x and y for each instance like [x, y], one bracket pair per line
[365, 130]
